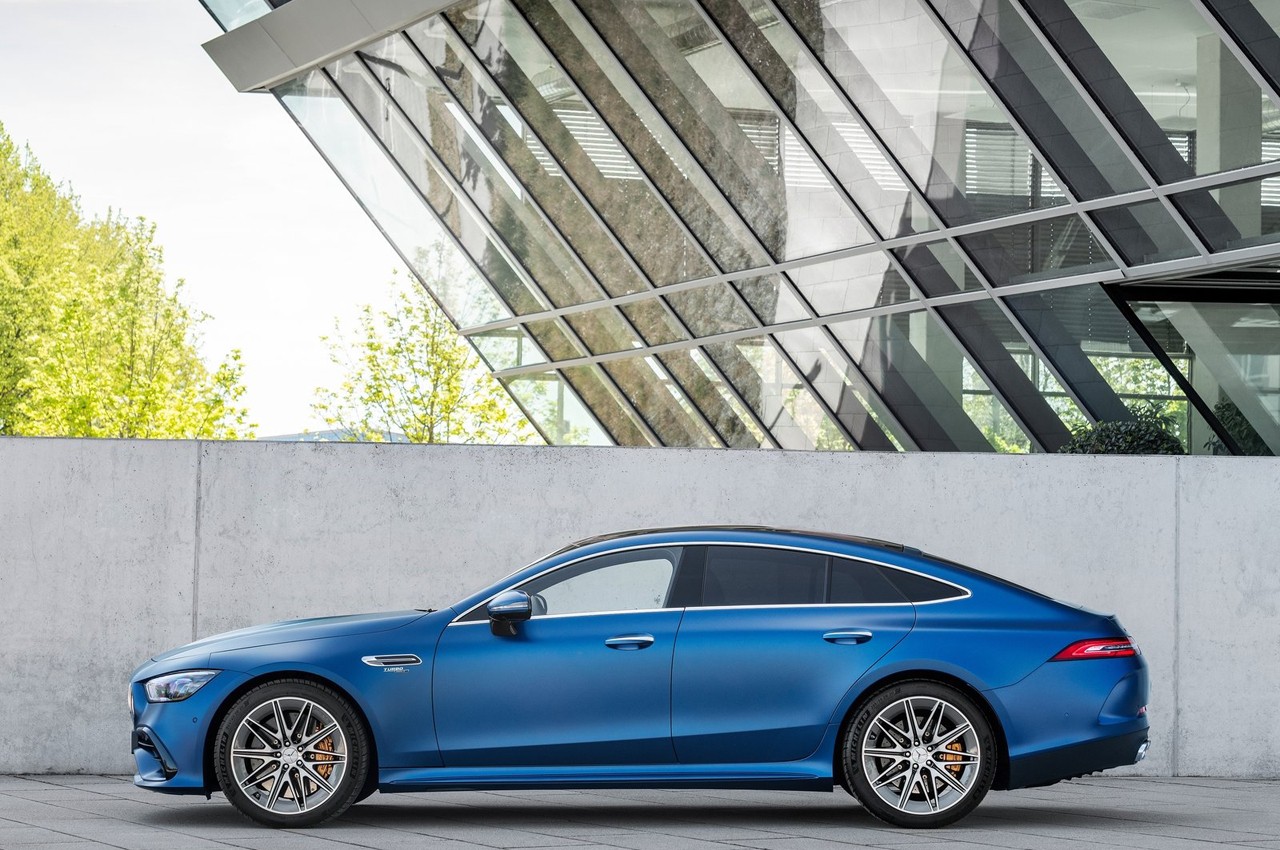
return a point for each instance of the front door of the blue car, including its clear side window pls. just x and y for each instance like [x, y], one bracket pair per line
[587, 680]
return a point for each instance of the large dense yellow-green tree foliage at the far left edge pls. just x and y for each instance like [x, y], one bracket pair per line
[93, 344]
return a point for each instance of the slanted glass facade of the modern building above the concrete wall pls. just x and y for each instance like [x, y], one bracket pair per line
[839, 225]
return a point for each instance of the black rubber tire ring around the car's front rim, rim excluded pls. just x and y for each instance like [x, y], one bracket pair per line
[354, 780]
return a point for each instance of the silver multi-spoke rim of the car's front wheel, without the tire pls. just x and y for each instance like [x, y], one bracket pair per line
[289, 756]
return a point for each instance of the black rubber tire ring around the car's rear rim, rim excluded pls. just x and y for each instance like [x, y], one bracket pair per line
[857, 780]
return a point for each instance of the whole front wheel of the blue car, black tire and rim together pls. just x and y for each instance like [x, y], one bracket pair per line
[299, 782]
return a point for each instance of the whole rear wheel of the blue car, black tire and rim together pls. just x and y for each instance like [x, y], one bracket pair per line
[938, 767]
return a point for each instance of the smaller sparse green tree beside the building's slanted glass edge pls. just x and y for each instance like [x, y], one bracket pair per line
[408, 372]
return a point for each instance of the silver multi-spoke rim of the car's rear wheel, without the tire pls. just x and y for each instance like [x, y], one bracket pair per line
[921, 756]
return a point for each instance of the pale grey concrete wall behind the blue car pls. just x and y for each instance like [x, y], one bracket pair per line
[115, 551]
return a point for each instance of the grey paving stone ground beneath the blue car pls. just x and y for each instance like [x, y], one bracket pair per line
[57, 812]
